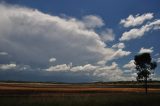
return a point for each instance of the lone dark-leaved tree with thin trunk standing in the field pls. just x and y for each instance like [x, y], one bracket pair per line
[144, 66]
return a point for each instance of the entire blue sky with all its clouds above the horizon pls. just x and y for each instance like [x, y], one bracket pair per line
[77, 40]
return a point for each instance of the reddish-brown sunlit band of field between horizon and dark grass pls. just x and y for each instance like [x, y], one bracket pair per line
[39, 88]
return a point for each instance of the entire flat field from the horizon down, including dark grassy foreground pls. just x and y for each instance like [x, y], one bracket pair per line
[93, 94]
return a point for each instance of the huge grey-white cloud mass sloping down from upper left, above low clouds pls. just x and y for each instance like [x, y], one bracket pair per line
[32, 40]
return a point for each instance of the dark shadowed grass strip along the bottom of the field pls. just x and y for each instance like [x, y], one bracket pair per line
[83, 100]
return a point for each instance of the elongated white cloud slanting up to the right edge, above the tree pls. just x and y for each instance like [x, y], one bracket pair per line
[137, 33]
